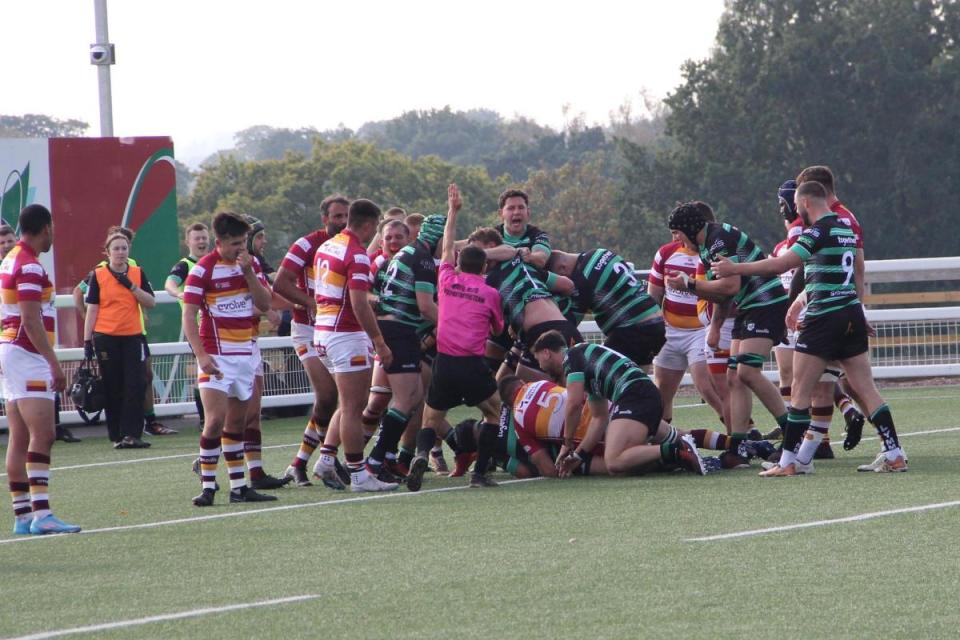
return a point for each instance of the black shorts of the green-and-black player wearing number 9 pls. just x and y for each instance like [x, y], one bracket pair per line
[836, 335]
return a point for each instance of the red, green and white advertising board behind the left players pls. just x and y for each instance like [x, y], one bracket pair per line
[89, 184]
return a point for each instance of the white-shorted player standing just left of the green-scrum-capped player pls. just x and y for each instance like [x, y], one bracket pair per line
[346, 335]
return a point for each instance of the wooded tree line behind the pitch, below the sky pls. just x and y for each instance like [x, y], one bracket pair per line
[869, 87]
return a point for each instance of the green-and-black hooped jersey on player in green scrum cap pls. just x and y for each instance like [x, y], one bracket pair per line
[412, 269]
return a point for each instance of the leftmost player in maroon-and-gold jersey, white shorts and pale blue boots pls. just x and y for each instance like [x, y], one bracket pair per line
[33, 375]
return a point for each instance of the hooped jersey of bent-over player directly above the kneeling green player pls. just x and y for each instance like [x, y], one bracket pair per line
[607, 287]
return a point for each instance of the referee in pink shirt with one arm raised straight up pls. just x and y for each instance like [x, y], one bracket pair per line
[468, 309]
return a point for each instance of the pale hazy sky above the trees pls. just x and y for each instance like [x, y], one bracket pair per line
[199, 70]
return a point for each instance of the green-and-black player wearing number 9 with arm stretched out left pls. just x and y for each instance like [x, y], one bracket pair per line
[834, 328]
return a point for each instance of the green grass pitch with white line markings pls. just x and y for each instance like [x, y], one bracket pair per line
[580, 558]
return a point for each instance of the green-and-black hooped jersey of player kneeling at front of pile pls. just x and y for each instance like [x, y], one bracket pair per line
[605, 373]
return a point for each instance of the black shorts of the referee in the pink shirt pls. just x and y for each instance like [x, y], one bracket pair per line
[459, 380]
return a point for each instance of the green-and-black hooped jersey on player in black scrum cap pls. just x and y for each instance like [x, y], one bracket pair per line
[728, 241]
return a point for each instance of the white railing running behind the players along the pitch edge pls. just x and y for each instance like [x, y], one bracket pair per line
[910, 343]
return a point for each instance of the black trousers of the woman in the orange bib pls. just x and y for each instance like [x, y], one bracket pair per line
[124, 380]
